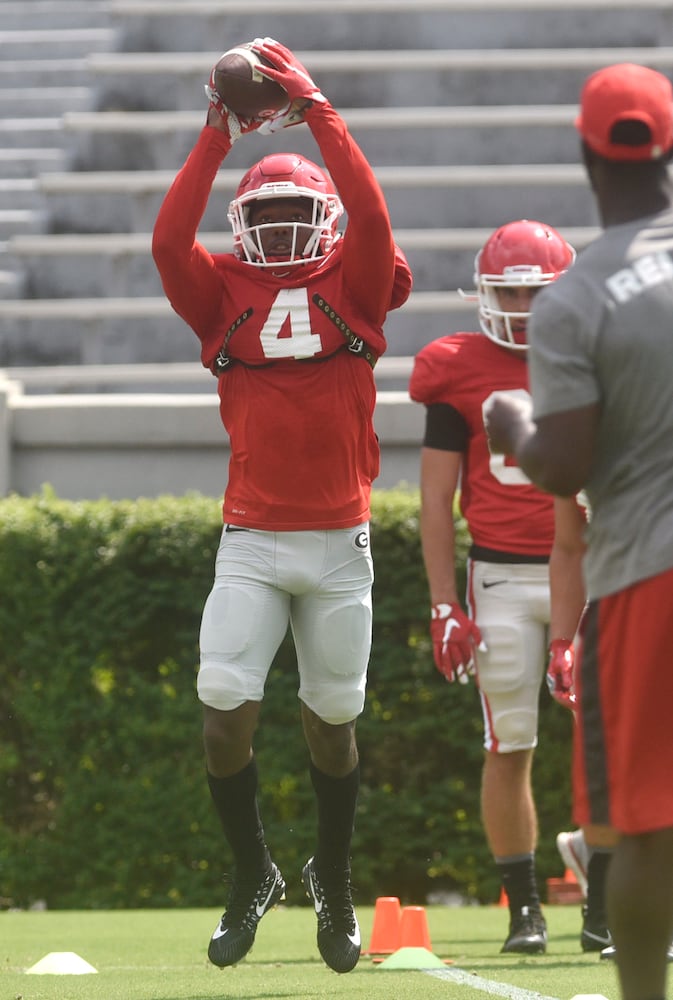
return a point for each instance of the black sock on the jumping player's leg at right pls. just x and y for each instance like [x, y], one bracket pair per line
[337, 801]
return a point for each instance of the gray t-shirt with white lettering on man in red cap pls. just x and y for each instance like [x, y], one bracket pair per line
[604, 333]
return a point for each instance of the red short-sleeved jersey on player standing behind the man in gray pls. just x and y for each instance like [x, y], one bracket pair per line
[503, 510]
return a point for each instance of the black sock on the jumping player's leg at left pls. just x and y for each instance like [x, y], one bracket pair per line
[235, 800]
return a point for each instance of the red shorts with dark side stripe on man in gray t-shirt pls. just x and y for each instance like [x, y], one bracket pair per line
[623, 750]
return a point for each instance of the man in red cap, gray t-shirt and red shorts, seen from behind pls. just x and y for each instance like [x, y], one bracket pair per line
[601, 419]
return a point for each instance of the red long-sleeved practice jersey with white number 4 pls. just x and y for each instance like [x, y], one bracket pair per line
[296, 403]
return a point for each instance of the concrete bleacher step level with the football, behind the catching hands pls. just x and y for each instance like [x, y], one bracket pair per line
[372, 78]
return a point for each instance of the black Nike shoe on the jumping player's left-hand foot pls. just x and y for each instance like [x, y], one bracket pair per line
[249, 899]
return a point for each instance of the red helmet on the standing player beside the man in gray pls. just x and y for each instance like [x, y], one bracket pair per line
[519, 254]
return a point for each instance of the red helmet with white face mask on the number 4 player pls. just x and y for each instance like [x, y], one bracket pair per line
[285, 175]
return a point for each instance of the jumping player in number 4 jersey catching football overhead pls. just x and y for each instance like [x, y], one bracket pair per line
[291, 324]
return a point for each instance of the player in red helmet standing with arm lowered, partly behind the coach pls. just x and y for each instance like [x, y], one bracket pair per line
[511, 524]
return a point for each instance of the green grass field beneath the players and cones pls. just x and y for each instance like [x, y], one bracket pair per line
[161, 955]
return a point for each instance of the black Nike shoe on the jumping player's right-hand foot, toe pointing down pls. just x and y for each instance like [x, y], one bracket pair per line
[338, 930]
